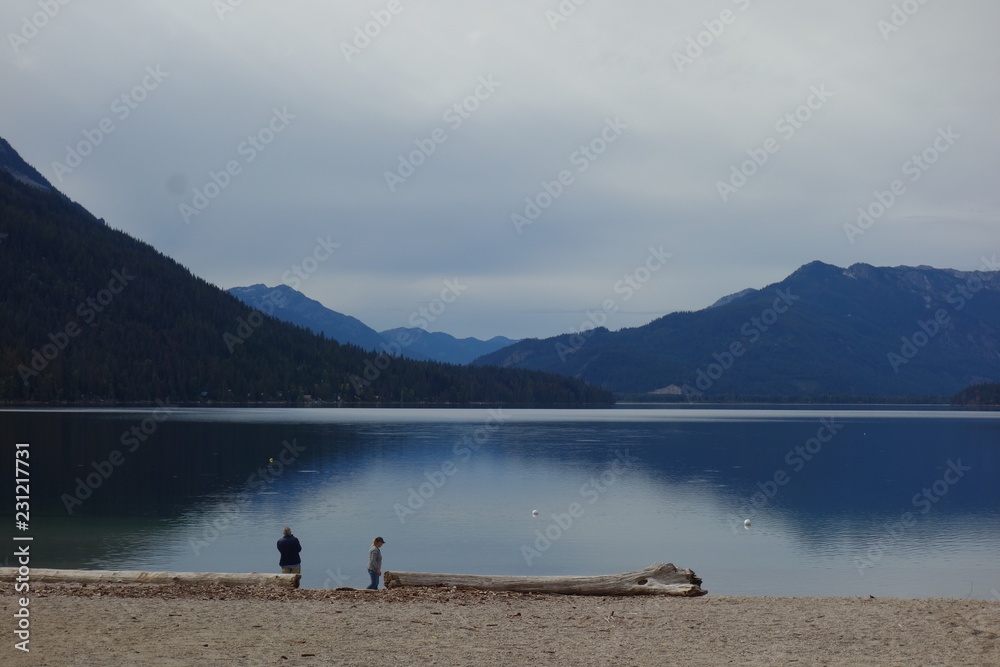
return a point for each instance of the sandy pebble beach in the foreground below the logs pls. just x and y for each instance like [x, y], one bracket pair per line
[73, 624]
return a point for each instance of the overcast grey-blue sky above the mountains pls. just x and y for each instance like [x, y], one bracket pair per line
[737, 137]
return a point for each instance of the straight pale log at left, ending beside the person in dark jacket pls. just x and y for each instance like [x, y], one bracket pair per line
[135, 577]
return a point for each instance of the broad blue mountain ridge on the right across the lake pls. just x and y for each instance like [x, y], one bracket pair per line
[861, 330]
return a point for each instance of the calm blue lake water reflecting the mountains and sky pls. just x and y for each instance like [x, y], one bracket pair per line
[887, 502]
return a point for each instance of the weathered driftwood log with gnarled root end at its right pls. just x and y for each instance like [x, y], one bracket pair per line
[657, 579]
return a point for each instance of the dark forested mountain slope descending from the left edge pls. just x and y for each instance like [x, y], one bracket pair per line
[91, 314]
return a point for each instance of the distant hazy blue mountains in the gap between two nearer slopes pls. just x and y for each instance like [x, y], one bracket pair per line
[290, 305]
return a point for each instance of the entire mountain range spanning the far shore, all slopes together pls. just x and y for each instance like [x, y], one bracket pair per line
[92, 314]
